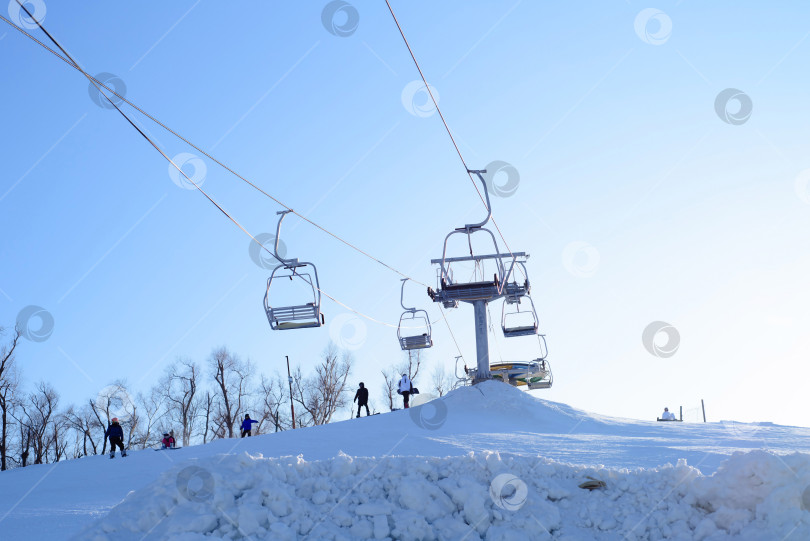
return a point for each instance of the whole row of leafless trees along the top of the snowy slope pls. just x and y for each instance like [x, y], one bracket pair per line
[197, 402]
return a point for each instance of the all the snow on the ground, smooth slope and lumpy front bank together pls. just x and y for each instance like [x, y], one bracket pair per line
[484, 462]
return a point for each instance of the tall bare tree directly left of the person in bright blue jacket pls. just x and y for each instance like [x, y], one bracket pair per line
[233, 377]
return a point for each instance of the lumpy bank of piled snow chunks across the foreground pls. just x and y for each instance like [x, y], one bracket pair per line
[482, 495]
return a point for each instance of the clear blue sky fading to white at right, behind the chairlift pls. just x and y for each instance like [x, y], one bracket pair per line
[636, 201]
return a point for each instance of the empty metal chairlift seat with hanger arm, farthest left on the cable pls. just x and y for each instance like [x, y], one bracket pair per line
[300, 316]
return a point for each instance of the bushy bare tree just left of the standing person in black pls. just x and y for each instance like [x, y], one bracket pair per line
[325, 392]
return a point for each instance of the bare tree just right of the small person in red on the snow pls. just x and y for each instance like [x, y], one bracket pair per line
[180, 392]
